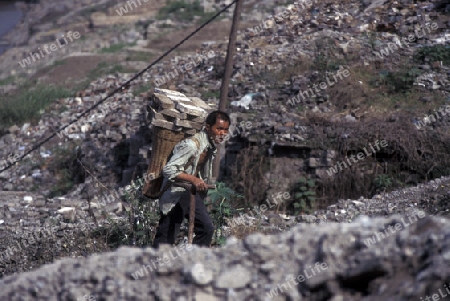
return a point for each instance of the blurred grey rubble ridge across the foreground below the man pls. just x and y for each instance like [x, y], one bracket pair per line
[365, 260]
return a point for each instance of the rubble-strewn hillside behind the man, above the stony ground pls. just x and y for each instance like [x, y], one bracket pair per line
[278, 61]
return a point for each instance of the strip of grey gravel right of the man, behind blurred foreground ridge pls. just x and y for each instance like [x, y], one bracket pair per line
[433, 198]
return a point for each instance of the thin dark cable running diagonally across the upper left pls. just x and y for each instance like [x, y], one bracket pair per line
[119, 88]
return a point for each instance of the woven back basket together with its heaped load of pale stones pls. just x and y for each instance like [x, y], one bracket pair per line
[174, 117]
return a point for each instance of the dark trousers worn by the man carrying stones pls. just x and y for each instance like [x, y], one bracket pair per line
[169, 225]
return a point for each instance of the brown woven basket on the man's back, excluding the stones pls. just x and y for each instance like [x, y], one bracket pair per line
[164, 141]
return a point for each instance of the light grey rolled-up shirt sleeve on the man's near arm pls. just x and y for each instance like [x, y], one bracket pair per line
[182, 152]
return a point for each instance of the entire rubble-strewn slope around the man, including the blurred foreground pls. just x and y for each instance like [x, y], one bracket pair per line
[315, 83]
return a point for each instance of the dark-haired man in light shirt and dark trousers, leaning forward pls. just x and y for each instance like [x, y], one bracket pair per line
[191, 161]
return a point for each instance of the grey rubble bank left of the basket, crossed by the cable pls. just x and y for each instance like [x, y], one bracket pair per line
[97, 133]
